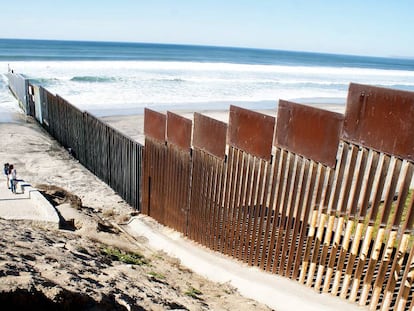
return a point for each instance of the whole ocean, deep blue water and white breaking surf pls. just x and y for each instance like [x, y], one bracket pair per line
[109, 78]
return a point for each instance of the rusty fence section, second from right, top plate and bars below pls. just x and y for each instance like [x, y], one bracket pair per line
[306, 144]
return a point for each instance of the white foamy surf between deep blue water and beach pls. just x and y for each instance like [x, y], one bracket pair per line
[112, 85]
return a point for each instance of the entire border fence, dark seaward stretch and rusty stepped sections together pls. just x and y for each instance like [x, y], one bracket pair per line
[318, 197]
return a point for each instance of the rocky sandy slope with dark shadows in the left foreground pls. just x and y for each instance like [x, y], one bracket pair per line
[62, 270]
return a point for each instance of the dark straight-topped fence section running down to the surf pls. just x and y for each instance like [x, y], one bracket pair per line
[112, 156]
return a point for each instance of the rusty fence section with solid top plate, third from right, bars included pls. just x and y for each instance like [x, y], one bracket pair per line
[250, 136]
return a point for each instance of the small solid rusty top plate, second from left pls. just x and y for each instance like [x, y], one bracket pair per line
[179, 130]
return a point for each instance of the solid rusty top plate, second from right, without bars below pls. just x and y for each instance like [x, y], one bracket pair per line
[308, 131]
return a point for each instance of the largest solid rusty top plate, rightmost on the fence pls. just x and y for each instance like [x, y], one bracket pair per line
[381, 119]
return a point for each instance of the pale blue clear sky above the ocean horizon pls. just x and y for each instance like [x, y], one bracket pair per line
[364, 27]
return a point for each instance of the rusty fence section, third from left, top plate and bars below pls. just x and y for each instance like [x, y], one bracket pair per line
[208, 177]
